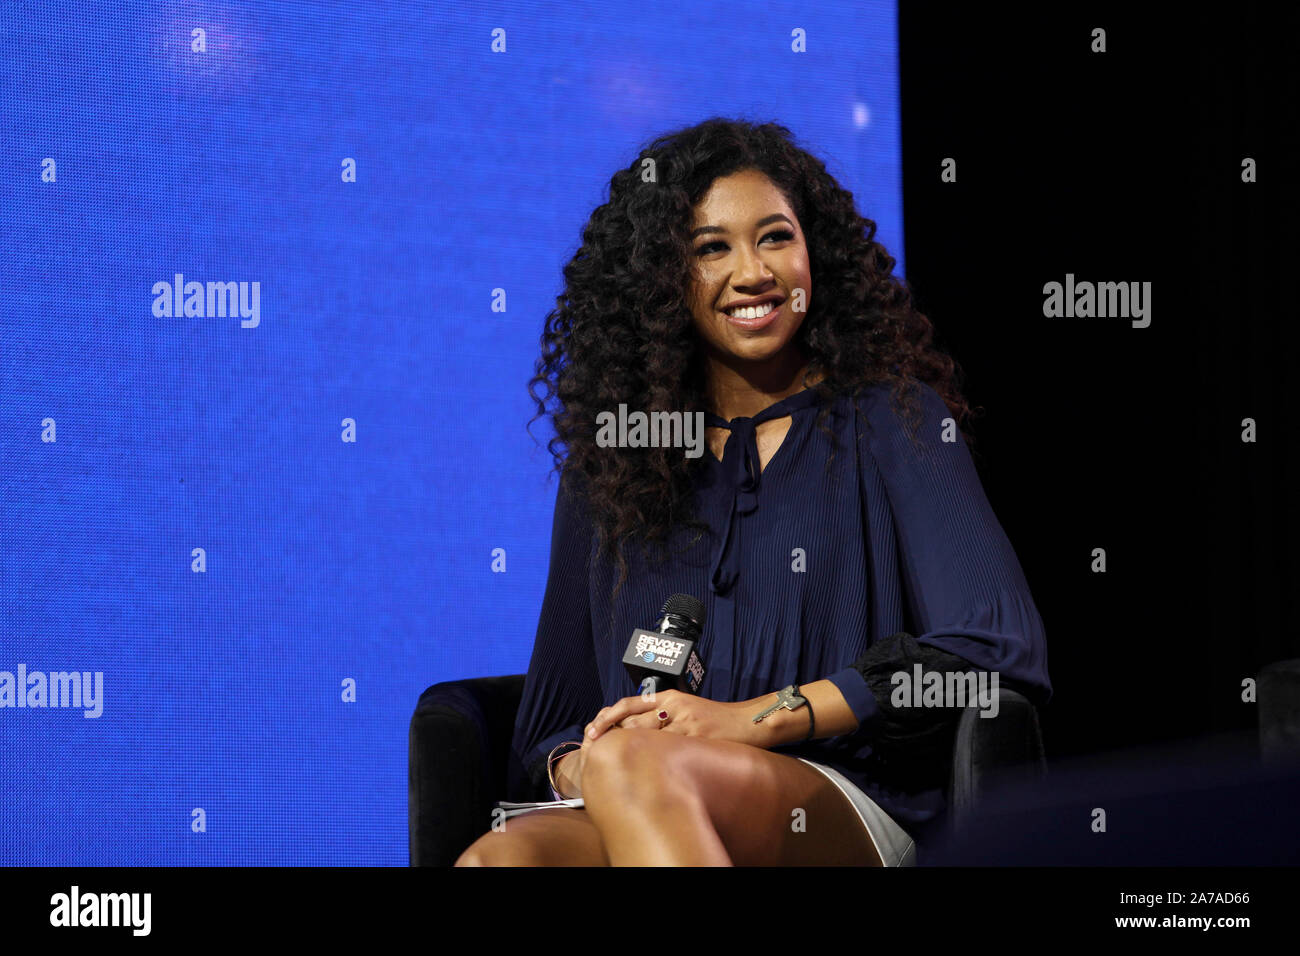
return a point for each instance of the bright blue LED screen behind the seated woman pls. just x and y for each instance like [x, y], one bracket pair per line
[259, 525]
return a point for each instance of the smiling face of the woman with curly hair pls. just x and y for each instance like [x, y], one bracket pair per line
[748, 249]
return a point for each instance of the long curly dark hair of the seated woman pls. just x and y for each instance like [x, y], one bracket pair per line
[623, 331]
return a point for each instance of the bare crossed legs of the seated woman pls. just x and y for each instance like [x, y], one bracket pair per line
[671, 801]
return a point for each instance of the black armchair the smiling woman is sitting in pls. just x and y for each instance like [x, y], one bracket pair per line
[461, 756]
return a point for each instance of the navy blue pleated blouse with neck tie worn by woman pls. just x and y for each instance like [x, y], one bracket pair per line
[847, 566]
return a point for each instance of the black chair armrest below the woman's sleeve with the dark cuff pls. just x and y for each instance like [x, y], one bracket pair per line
[994, 751]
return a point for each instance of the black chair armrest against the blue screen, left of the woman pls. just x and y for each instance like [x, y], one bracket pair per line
[458, 764]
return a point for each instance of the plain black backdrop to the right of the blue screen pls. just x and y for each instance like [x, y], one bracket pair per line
[1124, 166]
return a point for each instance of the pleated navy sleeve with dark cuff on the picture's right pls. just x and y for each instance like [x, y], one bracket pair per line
[952, 568]
